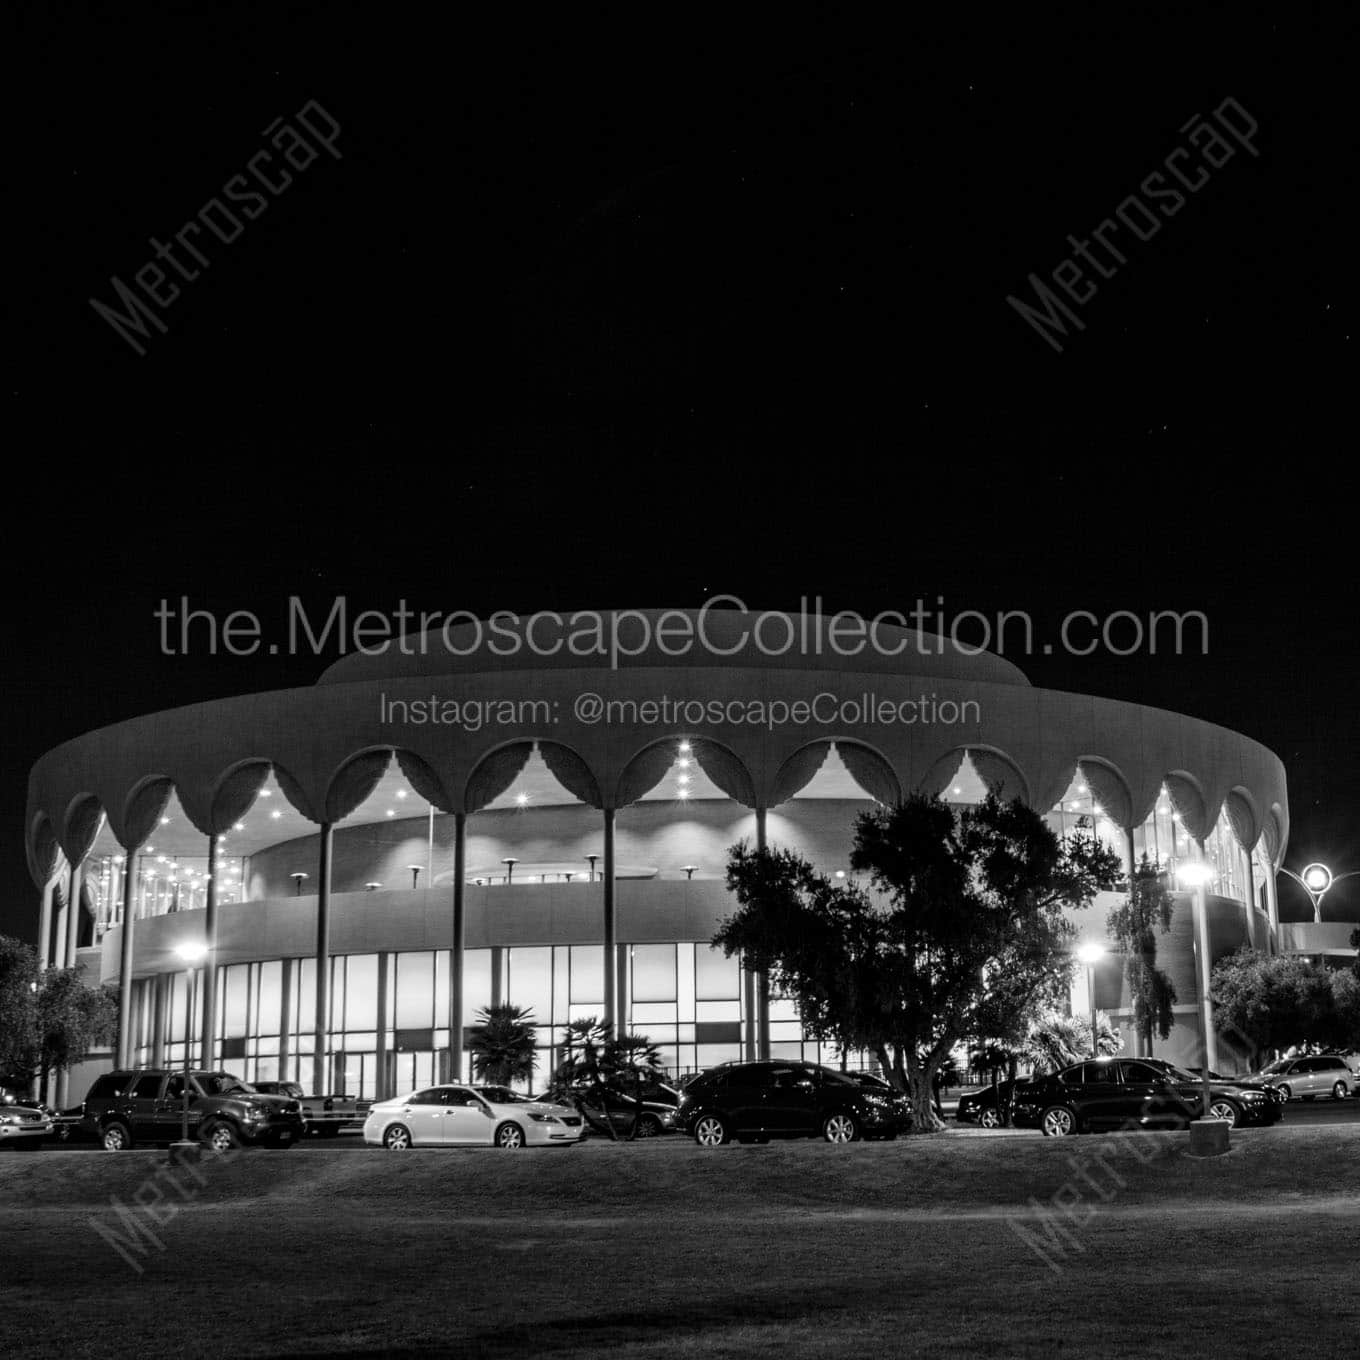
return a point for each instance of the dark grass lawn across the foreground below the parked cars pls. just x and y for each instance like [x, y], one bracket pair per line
[927, 1246]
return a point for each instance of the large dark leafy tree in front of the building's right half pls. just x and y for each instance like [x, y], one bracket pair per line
[900, 968]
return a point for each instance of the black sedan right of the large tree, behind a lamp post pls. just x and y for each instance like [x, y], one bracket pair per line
[1139, 1093]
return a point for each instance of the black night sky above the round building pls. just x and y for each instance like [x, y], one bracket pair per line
[641, 315]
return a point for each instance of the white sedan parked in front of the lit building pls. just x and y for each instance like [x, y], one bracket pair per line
[447, 1117]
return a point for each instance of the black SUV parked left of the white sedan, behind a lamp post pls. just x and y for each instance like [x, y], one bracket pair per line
[148, 1106]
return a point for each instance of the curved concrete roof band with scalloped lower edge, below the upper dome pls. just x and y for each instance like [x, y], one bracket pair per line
[328, 746]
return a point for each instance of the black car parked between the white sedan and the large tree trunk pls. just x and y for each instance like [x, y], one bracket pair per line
[754, 1102]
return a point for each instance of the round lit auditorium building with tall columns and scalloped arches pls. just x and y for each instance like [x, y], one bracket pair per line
[462, 822]
